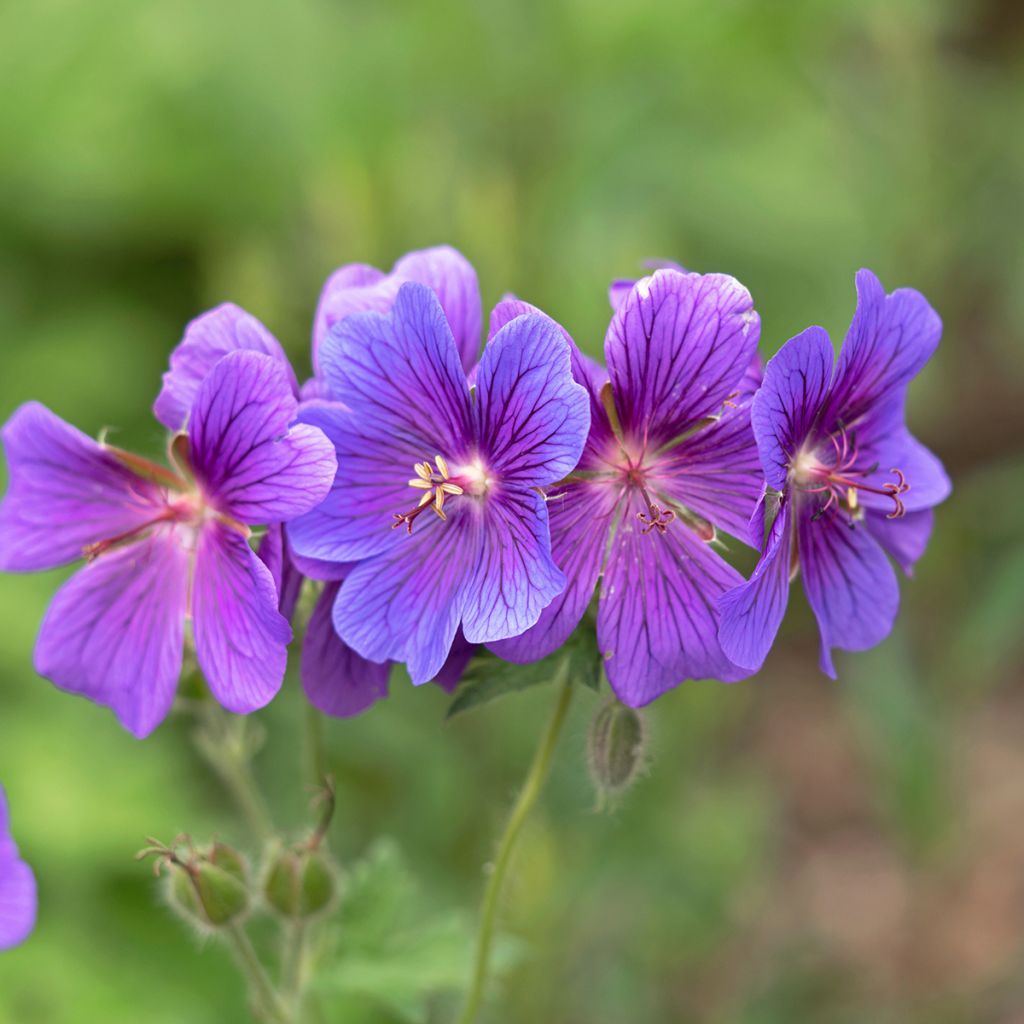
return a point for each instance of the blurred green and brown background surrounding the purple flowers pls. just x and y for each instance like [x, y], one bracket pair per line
[799, 850]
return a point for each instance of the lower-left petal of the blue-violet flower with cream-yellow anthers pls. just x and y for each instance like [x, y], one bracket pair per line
[406, 604]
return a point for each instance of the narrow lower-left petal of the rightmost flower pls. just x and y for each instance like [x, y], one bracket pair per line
[753, 612]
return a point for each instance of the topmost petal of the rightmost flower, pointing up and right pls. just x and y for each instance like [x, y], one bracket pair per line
[890, 340]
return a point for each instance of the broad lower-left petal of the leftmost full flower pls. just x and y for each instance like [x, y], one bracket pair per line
[114, 631]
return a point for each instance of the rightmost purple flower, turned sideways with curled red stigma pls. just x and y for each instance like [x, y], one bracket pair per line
[848, 481]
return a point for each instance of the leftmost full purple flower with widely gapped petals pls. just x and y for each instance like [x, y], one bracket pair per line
[164, 546]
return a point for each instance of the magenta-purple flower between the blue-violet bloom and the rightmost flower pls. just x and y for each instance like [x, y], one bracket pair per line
[670, 459]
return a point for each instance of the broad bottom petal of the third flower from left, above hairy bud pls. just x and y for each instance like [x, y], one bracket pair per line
[658, 621]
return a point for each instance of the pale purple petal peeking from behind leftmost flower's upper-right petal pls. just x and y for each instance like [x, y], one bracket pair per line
[207, 339]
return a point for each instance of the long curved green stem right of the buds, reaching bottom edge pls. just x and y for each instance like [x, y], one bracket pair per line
[521, 813]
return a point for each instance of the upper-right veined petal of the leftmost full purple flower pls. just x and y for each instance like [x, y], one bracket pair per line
[249, 458]
